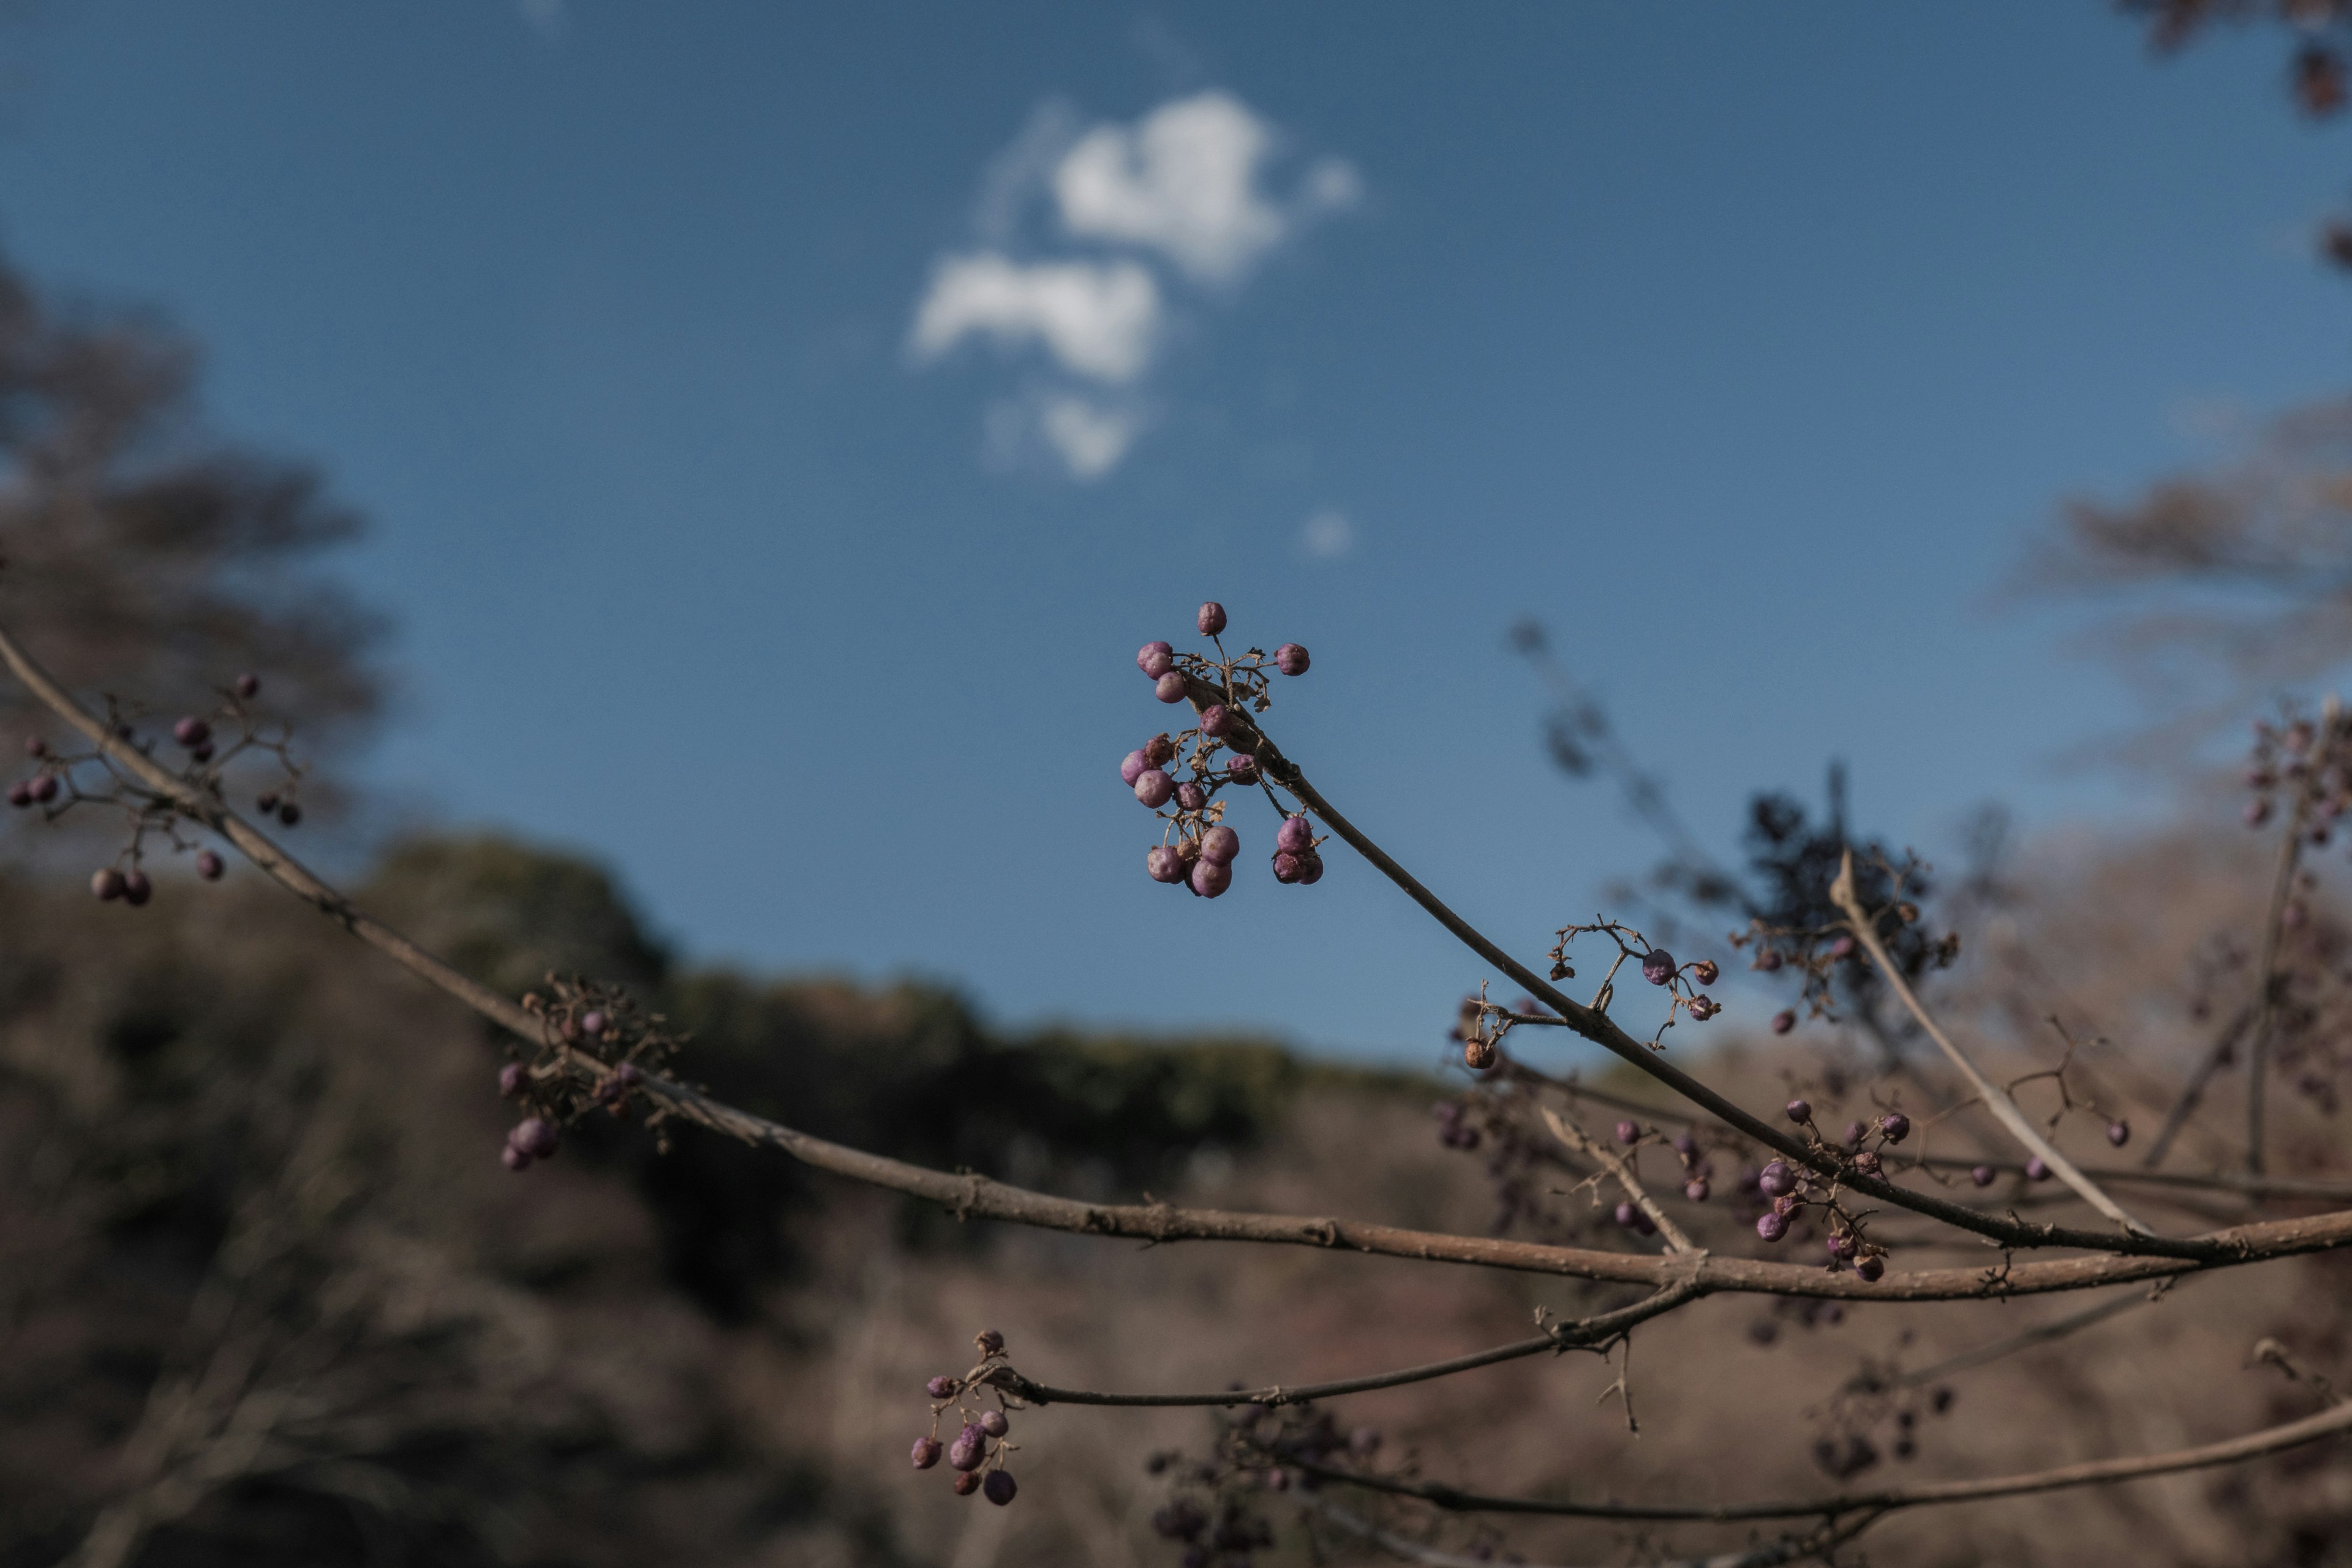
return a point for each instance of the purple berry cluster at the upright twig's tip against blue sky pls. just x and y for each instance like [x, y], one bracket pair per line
[1203, 847]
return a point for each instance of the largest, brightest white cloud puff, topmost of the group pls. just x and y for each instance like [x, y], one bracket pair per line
[1182, 182]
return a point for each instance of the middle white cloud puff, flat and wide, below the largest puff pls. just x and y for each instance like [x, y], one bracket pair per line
[1097, 321]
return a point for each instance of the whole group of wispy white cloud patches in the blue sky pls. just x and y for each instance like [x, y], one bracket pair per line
[1189, 189]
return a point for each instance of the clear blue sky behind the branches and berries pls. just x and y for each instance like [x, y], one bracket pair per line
[1744, 344]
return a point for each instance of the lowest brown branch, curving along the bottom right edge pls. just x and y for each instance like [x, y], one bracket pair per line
[1932, 1494]
